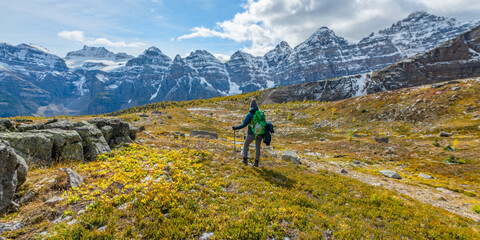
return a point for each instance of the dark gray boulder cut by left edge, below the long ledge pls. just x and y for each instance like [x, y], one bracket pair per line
[8, 176]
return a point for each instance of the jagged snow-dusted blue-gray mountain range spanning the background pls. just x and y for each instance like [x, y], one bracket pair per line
[94, 80]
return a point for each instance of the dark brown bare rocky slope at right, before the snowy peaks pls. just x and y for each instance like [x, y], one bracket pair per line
[456, 59]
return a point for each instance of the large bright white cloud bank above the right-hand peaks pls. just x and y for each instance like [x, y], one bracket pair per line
[263, 23]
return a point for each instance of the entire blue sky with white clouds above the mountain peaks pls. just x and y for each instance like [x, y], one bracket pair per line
[218, 26]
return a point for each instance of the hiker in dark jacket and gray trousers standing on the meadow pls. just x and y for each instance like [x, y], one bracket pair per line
[250, 122]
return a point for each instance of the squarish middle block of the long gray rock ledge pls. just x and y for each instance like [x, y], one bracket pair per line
[67, 144]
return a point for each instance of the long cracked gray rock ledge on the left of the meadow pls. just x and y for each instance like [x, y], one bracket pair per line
[62, 139]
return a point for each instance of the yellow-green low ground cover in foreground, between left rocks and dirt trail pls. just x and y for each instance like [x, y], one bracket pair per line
[200, 193]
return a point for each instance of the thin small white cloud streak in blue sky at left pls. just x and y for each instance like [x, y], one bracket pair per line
[78, 36]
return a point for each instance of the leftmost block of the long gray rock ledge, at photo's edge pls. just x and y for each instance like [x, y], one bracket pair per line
[34, 146]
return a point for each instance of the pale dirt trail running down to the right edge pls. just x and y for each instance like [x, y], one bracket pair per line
[439, 197]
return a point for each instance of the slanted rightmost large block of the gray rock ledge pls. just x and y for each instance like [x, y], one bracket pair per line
[93, 142]
